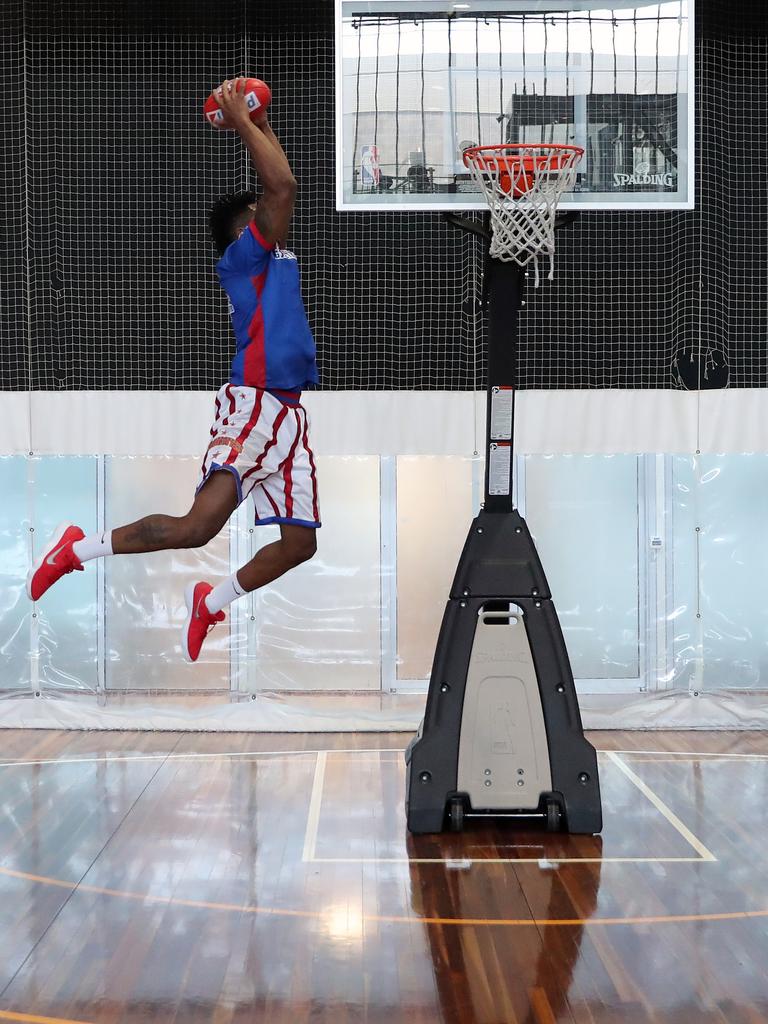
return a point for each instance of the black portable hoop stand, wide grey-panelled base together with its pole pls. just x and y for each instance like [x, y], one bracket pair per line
[502, 734]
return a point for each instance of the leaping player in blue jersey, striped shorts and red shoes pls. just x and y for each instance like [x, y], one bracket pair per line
[260, 440]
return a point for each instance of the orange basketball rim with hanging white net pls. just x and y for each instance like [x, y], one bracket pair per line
[524, 184]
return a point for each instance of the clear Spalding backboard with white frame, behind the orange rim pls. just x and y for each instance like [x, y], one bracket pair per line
[419, 81]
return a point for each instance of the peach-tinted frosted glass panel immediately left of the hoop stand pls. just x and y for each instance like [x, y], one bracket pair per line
[435, 513]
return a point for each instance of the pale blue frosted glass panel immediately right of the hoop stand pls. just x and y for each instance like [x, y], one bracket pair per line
[583, 514]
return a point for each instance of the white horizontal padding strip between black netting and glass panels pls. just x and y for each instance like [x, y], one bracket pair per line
[595, 422]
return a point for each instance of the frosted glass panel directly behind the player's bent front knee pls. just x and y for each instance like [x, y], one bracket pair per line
[320, 626]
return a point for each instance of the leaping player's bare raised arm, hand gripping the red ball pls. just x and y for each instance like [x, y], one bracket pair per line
[275, 209]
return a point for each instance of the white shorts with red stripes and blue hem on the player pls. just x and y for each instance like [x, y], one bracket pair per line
[266, 446]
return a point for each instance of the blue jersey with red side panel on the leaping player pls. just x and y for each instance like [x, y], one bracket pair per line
[276, 349]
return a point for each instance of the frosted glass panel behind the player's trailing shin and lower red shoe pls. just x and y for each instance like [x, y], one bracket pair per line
[145, 603]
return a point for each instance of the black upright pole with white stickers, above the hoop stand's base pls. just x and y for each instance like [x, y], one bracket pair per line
[504, 288]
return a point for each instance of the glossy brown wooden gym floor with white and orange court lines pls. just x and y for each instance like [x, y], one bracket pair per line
[199, 878]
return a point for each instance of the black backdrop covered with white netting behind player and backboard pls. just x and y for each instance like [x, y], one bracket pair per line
[110, 170]
